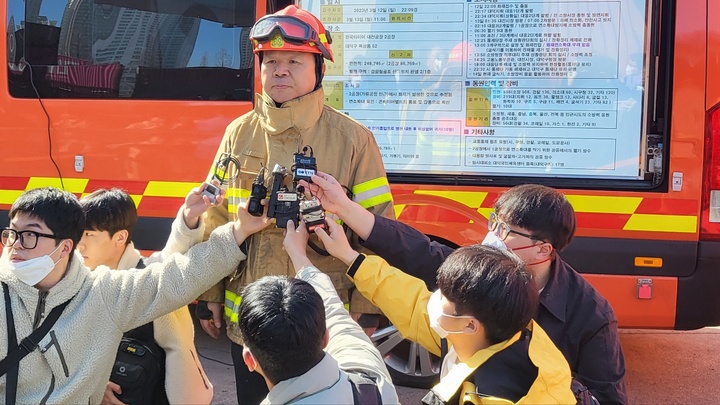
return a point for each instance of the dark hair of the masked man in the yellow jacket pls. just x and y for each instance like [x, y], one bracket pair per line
[493, 286]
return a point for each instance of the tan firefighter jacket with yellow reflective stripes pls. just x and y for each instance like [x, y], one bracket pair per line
[270, 135]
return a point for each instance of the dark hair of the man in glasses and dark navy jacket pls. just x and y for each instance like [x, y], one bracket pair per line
[543, 211]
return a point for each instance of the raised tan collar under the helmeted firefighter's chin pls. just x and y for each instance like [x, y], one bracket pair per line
[301, 113]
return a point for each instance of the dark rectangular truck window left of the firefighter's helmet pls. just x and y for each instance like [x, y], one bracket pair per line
[133, 49]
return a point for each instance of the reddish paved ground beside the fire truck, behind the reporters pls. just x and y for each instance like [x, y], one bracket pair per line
[663, 367]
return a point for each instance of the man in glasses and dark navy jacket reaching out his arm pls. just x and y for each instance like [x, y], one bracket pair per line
[534, 222]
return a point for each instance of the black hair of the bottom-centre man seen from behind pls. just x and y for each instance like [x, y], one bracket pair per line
[282, 322]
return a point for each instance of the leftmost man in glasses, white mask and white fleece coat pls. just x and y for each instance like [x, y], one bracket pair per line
[68, 360]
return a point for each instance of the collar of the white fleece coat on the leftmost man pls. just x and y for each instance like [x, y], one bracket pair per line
[65, 289]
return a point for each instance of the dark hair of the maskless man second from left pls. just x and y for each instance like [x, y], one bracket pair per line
[110, 210]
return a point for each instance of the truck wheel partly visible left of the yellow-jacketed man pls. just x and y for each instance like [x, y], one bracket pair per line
[409, 364]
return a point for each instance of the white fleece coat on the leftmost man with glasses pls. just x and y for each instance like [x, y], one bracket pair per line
[73, 361]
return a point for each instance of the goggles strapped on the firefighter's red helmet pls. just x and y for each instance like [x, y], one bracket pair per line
[292, 29]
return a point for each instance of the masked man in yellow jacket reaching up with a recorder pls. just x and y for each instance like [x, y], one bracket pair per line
[482, 310]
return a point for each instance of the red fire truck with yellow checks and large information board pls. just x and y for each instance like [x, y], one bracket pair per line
[615, 103]
